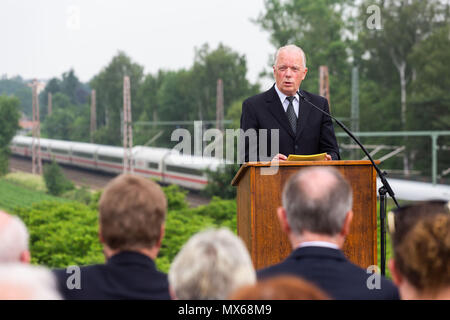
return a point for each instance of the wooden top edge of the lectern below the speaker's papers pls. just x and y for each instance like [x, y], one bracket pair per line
[247, 165]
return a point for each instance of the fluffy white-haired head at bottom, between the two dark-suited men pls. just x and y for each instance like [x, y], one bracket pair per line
[210, 266]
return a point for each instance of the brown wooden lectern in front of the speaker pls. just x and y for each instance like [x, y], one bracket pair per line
[259, 196]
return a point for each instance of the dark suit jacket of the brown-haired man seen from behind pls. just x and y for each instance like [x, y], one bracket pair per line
[126, 275]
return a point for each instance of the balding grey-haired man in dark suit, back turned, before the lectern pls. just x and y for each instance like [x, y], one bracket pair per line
[316, 215]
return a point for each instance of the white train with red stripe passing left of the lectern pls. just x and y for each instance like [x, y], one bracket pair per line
[165, 165]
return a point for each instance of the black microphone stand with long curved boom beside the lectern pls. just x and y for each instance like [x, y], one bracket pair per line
[382, 191]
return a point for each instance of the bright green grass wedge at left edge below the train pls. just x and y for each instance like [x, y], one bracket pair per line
[13, 195]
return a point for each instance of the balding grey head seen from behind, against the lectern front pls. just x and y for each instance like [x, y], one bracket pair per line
[317, 200]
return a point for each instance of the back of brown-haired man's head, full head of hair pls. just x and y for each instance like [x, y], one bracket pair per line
[132, 214]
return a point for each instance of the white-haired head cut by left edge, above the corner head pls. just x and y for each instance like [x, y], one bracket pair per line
[13, 239]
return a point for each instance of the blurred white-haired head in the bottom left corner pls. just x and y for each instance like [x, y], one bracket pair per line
[25, 282]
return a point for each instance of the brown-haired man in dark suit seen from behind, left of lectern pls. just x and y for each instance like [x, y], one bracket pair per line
[131, 227]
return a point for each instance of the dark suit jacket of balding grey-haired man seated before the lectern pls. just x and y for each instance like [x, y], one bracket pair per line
[332, 272]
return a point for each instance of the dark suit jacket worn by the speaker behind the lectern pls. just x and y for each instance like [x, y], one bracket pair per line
[315, 133]
